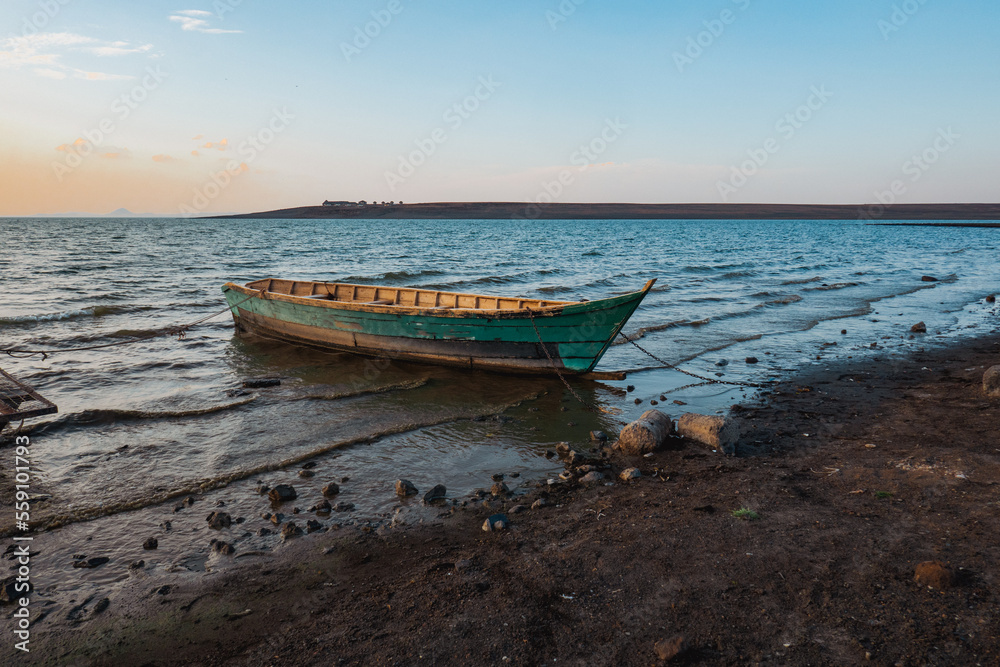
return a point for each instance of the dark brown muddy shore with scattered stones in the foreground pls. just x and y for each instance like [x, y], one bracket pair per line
[855, 474]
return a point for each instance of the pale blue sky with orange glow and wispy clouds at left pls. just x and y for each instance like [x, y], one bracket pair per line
[212, 106]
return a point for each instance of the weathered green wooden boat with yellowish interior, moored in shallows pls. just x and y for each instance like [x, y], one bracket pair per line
[470, 330]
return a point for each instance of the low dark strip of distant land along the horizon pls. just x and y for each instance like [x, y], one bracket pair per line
[518, 211]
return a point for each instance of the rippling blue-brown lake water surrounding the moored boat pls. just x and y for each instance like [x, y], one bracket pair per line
[132, 428]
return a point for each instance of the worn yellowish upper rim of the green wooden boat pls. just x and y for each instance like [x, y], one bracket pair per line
[399, 309]
